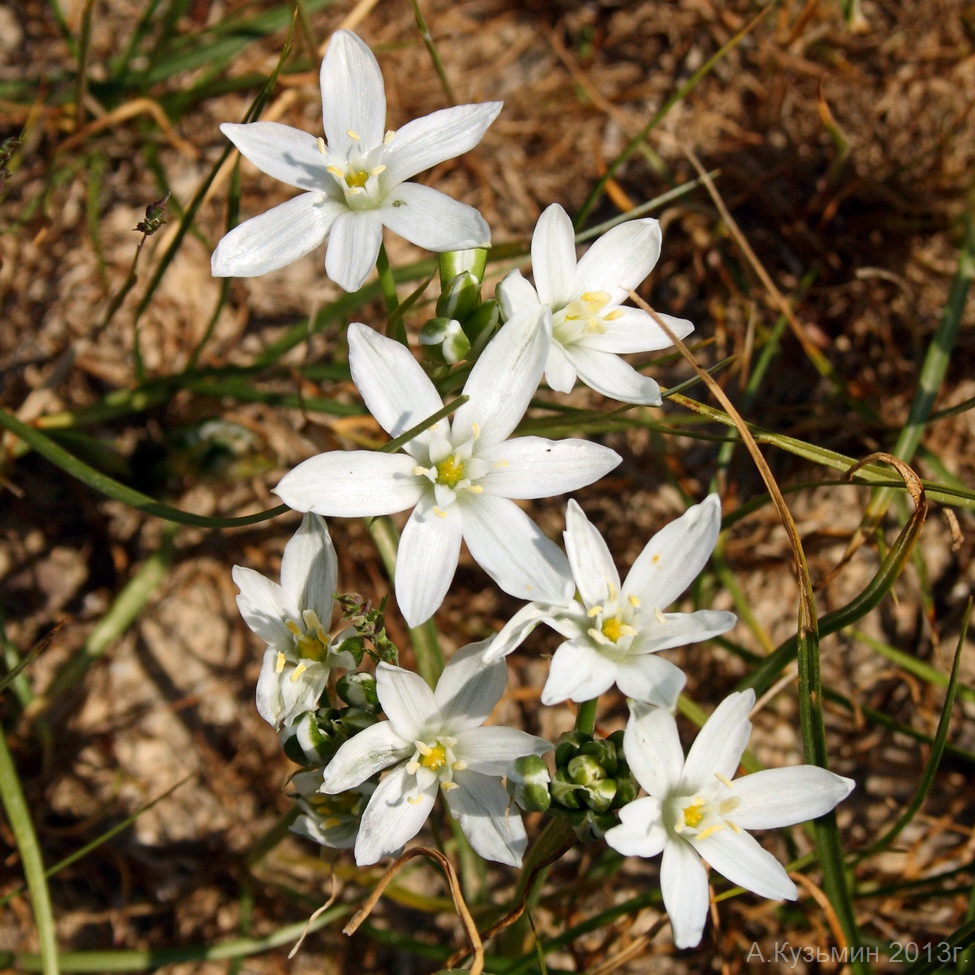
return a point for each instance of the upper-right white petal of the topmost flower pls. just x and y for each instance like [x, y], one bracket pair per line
[426, 141]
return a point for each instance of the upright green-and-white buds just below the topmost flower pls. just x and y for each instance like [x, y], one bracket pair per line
[464, 322]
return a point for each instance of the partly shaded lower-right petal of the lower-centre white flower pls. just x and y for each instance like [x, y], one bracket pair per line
[480, 805]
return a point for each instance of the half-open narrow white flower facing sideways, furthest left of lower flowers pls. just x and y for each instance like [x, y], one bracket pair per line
[293, 618]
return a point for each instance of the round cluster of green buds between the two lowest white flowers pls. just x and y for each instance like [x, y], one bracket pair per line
[591, 782]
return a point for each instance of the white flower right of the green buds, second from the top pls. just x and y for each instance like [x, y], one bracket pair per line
[590, 324]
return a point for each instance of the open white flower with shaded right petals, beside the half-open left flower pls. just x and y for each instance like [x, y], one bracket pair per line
[435, 742]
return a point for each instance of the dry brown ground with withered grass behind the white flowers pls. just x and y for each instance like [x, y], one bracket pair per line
[864, 243]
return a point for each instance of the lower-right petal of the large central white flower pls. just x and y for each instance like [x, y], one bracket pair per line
[511, 548]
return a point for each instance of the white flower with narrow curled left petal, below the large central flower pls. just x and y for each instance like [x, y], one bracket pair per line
[614, 630]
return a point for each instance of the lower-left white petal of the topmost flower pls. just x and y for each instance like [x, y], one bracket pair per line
[276, 238]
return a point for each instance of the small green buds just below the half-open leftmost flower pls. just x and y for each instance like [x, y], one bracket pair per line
[317, 735]
